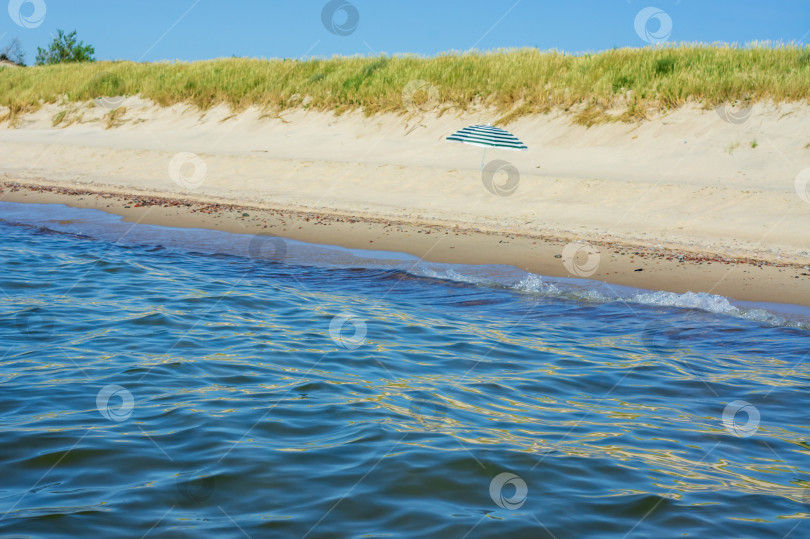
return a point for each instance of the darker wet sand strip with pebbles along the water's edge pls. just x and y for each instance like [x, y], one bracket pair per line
[634, 264]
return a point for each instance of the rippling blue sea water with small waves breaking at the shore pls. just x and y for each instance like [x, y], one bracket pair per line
[186, 383]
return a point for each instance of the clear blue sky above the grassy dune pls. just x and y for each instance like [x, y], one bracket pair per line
[150, 30]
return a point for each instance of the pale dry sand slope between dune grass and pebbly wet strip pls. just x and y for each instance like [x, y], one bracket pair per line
[688, 180]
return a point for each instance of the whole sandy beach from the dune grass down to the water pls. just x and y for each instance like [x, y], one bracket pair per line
[723, 195]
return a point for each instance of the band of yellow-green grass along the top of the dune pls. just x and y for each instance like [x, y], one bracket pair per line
[620, 84]
